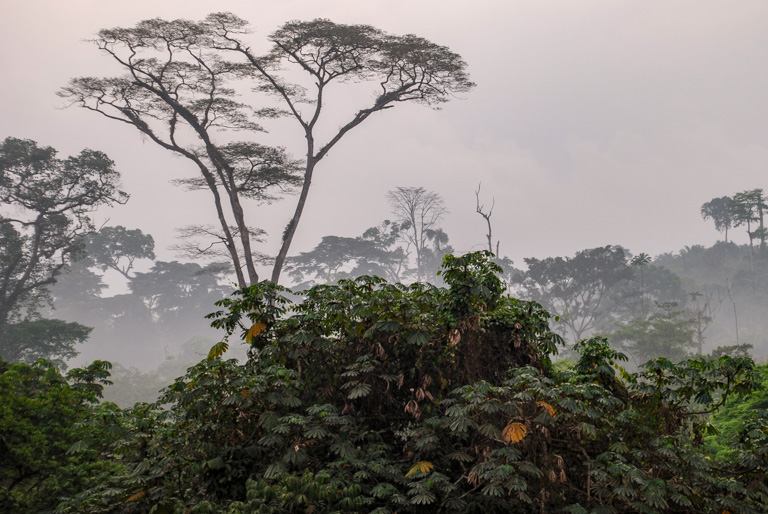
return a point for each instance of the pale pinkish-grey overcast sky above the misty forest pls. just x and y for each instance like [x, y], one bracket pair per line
[592, 123]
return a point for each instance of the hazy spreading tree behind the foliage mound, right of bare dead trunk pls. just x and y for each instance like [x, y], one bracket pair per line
[574, 288]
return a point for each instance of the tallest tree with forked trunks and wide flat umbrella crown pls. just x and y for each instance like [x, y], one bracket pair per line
[179, 83]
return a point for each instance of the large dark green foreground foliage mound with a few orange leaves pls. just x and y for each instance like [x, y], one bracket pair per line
[373, 397]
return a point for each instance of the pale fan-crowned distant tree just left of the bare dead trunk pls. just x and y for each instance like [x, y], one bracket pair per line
[420, 211]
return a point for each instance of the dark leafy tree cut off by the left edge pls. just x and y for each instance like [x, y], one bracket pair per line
[48, 204]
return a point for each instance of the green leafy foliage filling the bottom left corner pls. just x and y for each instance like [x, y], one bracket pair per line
[53, 434]
